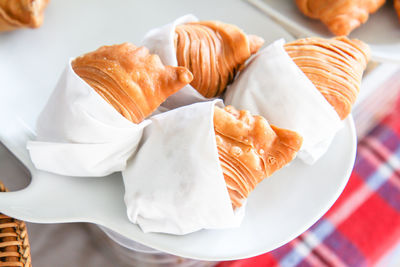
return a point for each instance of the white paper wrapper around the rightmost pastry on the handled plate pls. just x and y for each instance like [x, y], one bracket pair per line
[273, 86]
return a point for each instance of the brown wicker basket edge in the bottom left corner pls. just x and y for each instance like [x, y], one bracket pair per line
[14, 243]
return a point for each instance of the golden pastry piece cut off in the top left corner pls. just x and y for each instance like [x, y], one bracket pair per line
[16, 14]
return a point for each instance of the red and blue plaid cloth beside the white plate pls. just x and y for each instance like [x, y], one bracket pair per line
[364, 223]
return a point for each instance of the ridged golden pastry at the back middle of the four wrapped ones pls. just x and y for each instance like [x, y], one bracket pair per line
[213, 51]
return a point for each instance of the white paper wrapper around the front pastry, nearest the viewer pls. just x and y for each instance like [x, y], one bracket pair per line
[174, 183]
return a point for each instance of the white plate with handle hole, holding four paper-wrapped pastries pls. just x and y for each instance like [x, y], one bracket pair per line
[281, 208]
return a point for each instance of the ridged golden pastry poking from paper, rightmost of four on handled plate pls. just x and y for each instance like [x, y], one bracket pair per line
[335, 66]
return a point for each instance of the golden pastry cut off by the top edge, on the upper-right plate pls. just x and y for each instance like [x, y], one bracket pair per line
[340, 16]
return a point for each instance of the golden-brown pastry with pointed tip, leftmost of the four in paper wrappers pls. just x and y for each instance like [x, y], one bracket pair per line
[133, 81]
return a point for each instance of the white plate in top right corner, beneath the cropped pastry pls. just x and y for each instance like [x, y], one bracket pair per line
[381, 31]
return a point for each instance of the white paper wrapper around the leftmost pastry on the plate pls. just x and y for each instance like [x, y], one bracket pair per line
[80, 134]
